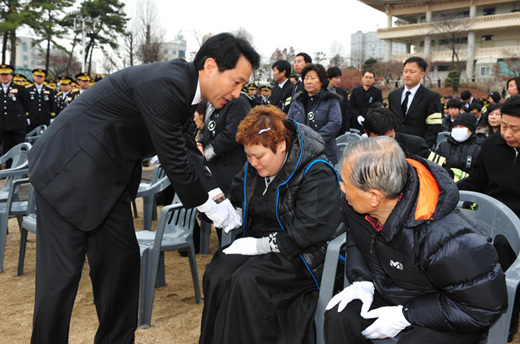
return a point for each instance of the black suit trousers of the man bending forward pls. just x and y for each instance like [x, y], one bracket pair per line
[113, 256]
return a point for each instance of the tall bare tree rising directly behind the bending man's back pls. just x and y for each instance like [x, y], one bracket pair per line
[150, 44]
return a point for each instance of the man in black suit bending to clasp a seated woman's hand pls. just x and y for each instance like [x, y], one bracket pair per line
[86, 169]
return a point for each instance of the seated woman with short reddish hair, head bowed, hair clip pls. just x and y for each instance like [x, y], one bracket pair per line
[263, 287]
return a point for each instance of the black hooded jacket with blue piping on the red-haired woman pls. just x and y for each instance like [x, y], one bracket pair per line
[306, 196]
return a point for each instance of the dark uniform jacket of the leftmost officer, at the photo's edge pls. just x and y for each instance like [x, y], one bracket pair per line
[15, 104]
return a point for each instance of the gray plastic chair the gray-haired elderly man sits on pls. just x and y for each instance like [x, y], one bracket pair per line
[491, 217]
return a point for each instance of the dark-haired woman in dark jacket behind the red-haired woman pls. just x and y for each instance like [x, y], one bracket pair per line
[318, 108]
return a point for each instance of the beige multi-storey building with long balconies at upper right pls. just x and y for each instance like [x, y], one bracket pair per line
[480, 34]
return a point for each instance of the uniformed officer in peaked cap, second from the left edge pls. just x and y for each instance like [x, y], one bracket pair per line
[42, 100]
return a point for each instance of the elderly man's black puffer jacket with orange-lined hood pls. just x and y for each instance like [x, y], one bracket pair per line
[428, 257]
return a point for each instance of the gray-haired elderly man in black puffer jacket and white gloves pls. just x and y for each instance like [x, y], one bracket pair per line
[419, 270]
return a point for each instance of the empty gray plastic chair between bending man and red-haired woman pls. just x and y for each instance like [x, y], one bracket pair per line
[174, 231]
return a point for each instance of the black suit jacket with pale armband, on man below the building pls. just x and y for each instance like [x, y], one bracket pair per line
[424, 116]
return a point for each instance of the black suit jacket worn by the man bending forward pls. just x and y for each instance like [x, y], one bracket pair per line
[91, 154]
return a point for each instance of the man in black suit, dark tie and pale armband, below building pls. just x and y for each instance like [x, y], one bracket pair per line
[417, 109]
